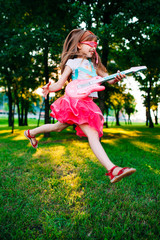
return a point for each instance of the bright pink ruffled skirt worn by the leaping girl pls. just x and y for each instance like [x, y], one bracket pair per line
[78, 112]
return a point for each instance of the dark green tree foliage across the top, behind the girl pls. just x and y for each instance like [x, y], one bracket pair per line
[32, 35]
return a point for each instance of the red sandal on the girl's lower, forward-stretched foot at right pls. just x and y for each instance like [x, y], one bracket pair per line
[124, 172]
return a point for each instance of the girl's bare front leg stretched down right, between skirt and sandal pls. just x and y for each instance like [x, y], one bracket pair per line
[97, 148]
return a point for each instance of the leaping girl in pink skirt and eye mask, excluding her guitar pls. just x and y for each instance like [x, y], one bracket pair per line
[80, 61]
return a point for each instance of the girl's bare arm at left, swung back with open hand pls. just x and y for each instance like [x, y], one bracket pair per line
[54, 87]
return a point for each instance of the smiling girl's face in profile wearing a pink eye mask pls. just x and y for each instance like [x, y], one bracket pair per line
[87, 48]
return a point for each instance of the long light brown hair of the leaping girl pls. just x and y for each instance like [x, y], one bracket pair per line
[70, 49]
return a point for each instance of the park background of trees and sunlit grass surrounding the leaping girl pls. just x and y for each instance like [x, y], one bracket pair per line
[60, 190]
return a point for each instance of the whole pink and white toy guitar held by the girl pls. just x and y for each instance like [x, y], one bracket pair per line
[82, 88]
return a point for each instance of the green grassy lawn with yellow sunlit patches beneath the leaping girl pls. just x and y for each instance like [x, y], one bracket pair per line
[60, 190]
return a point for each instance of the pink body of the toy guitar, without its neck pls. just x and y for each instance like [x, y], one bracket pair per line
[74, 90]
